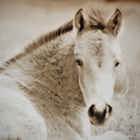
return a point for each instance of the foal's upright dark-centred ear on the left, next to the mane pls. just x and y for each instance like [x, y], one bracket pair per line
[81, 20]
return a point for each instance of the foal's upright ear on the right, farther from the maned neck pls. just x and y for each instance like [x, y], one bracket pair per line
[115, 22]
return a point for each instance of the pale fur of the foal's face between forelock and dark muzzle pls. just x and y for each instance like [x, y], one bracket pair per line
[99, 82]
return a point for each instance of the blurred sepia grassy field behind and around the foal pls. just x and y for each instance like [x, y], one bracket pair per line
[21, 21]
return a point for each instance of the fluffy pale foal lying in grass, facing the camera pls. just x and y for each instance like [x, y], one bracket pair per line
[62, 82]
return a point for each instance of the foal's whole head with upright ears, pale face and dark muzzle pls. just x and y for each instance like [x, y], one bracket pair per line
[97, 54]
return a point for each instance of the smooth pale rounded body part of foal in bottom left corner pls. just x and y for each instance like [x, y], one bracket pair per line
[18, 118]
